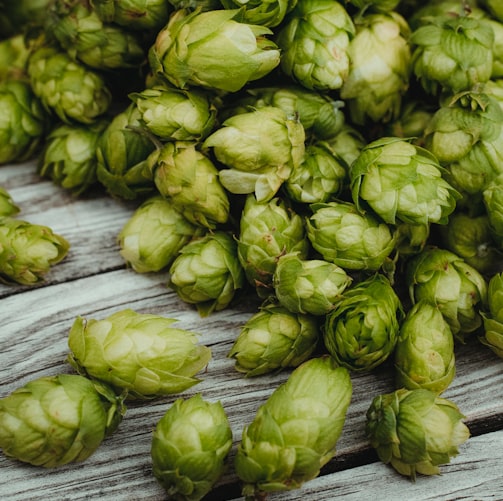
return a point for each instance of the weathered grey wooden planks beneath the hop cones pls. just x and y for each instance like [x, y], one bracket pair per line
[93, 282]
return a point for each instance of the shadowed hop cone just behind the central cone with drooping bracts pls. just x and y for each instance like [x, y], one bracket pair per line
[319, 113]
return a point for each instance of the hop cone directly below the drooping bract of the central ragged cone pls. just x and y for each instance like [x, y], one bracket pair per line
[267, 231]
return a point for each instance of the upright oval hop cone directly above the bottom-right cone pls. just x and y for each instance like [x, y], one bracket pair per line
[424, 353]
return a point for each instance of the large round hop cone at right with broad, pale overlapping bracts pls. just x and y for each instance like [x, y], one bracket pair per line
[401, 182]
